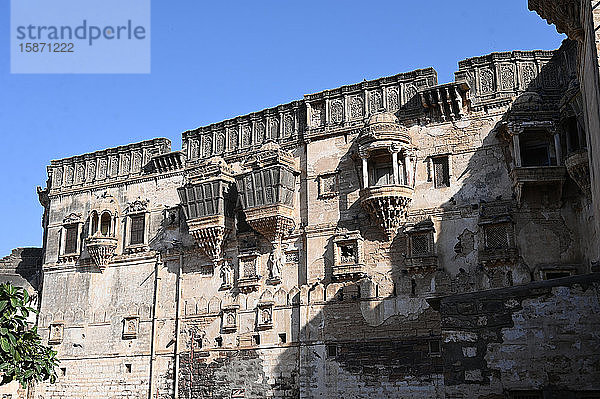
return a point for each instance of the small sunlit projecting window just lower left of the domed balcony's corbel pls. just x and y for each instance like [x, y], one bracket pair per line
[348, 256]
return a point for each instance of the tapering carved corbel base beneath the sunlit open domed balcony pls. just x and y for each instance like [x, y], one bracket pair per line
[387, 205]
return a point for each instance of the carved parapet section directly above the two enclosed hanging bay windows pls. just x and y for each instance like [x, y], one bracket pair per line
[282, 124]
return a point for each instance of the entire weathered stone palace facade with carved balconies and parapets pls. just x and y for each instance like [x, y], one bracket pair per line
[391, 238]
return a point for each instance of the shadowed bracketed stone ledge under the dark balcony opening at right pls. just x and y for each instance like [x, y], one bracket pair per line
[536, 176]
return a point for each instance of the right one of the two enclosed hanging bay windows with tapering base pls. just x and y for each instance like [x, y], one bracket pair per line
[267, 187]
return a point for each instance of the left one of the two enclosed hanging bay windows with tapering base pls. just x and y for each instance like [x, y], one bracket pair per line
[208, 201]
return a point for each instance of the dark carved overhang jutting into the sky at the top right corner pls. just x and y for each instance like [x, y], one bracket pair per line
[564, 14]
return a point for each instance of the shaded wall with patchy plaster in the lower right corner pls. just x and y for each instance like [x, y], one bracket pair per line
[541, 336]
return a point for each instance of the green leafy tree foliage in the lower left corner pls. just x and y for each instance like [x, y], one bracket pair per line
[22, 356]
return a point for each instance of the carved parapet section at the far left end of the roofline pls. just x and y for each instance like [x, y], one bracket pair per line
[106, 166]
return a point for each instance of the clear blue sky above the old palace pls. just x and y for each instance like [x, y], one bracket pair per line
[215, 60]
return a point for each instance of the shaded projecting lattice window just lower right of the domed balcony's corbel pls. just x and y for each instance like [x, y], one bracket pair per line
[421, 255]
